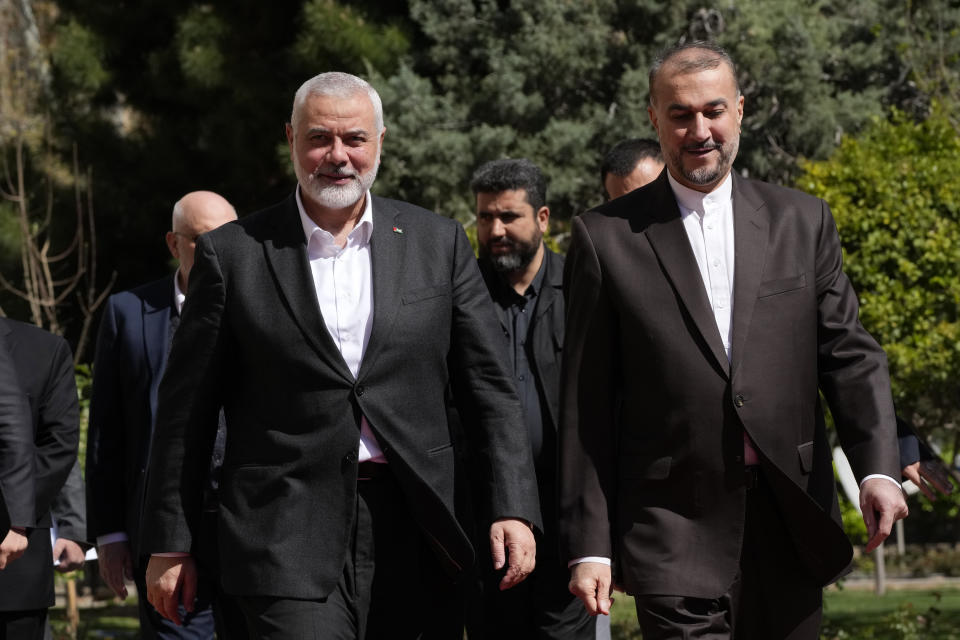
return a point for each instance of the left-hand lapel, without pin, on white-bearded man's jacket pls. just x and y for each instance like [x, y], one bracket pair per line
[286, 253]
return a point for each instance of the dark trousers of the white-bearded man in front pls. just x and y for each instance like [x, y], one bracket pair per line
[392, 587]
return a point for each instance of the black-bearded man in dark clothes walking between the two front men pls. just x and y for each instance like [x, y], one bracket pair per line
[525, 280]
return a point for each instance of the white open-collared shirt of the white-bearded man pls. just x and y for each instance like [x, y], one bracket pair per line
[343, 282]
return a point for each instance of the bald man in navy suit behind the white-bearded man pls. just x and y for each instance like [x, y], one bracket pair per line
[135, 335]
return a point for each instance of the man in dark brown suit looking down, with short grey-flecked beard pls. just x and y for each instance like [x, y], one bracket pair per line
[705, 314]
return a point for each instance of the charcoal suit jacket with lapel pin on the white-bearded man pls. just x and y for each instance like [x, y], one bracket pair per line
[252, 339]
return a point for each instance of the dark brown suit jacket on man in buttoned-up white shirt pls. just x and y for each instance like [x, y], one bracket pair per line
[653, 412]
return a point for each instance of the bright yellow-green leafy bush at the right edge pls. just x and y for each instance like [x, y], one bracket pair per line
[896, 201]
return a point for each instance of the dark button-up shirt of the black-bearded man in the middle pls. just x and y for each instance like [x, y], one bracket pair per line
[519, 313]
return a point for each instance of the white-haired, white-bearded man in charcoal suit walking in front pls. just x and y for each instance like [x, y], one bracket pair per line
[329, 327]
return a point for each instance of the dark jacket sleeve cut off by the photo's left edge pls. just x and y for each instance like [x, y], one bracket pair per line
[17, 492]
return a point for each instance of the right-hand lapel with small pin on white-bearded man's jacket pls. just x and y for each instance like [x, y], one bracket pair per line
[387, 251]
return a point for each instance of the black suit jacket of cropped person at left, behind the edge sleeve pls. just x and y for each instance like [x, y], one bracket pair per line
[44, 366]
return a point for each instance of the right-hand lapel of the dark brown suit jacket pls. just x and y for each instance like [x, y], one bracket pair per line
[750, 239]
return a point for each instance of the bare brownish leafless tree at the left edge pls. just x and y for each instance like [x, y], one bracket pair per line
[57, 261]
